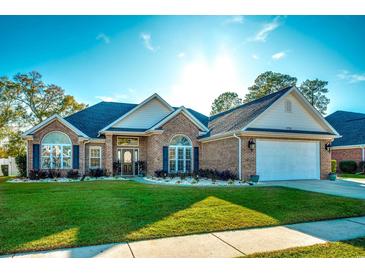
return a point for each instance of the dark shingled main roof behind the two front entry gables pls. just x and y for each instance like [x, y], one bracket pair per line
[92, 119]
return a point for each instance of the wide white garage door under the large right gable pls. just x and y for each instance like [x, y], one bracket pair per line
[287, 160]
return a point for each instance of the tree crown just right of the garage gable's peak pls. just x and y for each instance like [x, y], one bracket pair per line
[314, 91]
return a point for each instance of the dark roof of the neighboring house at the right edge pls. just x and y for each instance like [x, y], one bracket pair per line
[350, 125]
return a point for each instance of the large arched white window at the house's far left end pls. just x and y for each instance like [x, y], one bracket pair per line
[56, 151]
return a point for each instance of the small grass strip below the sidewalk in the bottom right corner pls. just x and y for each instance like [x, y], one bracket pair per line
[346, 249]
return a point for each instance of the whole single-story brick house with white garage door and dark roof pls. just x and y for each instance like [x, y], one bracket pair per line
[278, 137]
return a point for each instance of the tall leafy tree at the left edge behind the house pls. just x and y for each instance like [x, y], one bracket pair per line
[26, 101]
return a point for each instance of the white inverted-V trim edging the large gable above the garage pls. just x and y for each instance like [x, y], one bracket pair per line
[302, 100]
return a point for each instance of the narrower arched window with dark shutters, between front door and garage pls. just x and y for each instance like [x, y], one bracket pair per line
[180, 154]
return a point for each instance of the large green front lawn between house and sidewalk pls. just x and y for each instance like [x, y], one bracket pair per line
[39, 216]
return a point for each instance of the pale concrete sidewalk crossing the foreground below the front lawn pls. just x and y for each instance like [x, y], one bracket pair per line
[218, 244]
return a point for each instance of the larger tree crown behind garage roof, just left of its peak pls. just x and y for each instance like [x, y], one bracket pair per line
[267, 83]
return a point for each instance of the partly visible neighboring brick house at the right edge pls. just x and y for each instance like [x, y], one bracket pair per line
[351, 126]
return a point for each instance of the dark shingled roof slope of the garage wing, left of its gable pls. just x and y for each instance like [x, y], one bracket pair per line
[238, 117]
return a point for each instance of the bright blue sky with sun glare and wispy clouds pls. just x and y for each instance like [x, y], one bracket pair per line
[188, 60]
